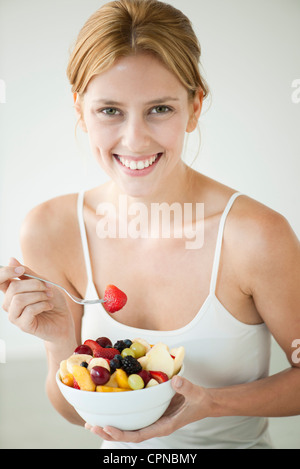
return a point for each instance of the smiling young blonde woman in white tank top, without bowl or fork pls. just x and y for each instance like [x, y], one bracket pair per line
[138, 90]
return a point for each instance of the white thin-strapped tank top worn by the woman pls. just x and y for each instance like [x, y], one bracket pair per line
[220, 351]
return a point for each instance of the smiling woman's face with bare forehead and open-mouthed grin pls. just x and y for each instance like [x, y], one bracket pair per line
[136, 115]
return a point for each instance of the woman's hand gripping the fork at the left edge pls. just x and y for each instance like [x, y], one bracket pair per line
[34, 306]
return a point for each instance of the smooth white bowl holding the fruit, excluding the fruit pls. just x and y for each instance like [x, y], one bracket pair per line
[129, 410]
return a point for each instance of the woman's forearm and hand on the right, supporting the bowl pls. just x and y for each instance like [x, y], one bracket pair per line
[275, 396]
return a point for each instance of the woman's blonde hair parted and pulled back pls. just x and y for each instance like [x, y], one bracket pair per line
[127, 27]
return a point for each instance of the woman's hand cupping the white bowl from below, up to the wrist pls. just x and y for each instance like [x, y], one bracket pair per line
[189, 404]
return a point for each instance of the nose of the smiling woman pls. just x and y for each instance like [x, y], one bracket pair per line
[136, 134]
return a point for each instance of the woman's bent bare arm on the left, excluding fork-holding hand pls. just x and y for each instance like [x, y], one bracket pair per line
[47, 242]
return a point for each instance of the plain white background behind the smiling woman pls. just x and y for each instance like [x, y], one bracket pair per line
[249, 134]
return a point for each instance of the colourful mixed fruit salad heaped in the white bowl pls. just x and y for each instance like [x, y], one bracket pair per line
[128, 365]
